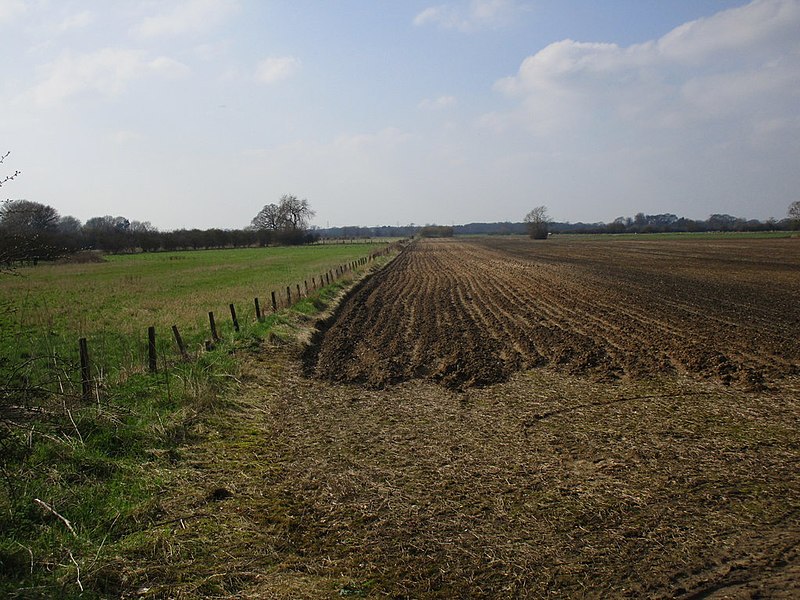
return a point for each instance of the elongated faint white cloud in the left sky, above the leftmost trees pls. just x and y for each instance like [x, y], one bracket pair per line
[107, 72]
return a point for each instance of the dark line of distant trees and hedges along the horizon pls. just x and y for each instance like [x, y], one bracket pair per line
[30, 231]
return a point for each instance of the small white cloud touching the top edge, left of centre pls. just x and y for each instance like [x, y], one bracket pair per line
[188, 16]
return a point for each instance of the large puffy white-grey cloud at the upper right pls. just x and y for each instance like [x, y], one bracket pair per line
[741, 64]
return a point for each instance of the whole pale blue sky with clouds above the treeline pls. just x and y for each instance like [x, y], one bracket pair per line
[197, 113]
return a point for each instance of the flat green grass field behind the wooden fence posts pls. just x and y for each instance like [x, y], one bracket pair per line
[114, 302]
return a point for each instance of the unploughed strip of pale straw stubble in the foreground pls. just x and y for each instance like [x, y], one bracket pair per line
[544, 485]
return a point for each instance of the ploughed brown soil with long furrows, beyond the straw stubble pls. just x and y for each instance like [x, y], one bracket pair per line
[468, 313]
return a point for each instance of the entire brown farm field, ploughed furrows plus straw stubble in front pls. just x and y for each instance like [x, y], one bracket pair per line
[505, 418]
